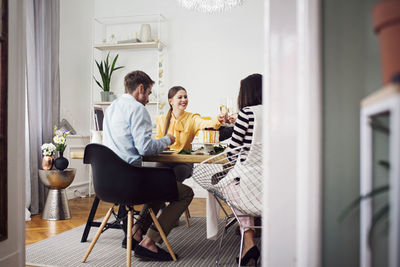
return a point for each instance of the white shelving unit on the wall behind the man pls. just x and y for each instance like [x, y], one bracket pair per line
[121, 35]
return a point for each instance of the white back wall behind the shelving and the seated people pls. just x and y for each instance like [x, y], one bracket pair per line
[207, 54]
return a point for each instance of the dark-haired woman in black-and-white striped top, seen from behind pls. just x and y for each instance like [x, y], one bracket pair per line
[248, 130]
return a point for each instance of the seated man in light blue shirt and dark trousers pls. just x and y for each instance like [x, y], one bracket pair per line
[127, 131]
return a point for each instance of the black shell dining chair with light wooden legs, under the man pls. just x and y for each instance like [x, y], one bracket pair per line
[115, 181]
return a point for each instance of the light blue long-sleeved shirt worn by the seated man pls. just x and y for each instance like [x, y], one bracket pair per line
[127, 130]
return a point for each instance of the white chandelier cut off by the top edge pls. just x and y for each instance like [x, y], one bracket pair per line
[210, 6]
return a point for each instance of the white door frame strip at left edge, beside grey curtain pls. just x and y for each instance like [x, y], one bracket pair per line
[12, 250]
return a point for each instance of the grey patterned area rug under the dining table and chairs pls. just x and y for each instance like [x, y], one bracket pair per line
[191, 244]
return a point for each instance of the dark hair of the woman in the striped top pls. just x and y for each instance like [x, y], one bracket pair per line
[250, 93]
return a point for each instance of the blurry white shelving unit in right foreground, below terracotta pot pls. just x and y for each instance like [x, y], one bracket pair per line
[383, 101]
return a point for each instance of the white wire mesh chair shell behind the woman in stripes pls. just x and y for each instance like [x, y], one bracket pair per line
[236, 179]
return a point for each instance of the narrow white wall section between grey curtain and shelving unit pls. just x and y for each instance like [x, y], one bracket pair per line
[75, 62]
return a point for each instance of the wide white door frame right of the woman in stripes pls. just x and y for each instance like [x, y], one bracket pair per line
[293, 137]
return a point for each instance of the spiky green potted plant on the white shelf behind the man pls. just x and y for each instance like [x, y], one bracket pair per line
[106, 71]
